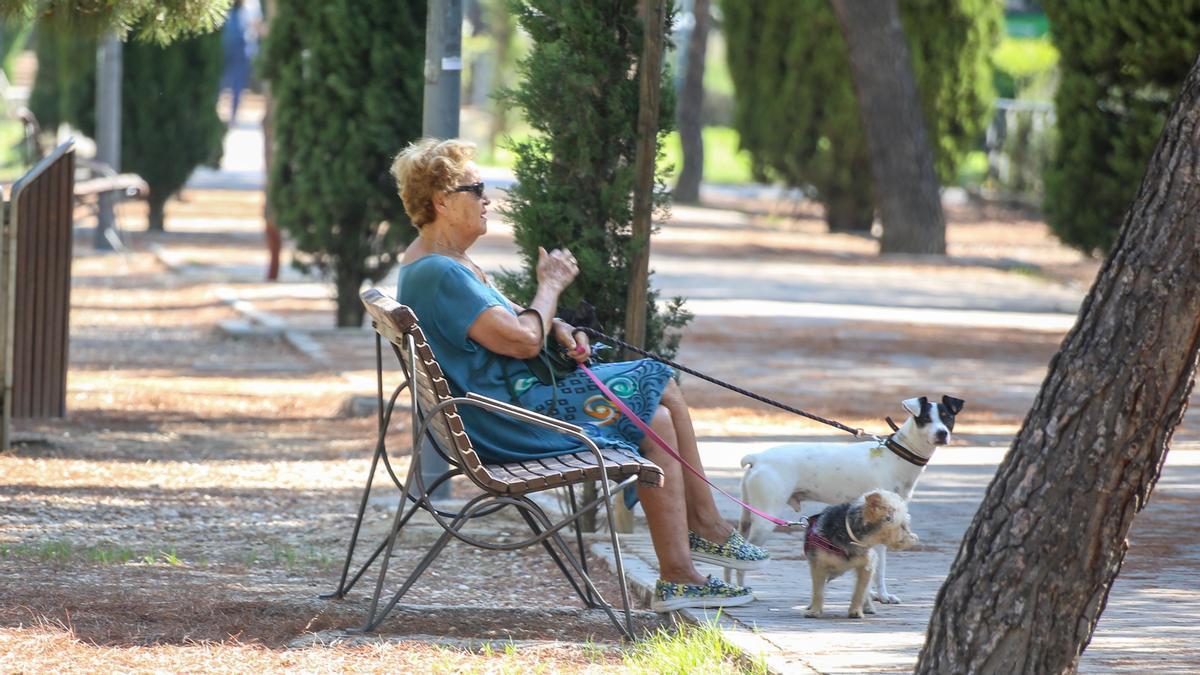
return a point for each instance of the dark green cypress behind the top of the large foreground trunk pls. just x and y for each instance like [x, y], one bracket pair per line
[1121, 64]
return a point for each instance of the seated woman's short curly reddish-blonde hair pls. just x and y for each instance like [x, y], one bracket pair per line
[428, 168]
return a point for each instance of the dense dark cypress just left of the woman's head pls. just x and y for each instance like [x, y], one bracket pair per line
[346, 82]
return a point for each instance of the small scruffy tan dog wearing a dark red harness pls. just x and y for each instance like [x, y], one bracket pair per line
[841, 539]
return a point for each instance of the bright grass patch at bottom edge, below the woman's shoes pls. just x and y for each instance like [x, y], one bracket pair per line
[692, 649]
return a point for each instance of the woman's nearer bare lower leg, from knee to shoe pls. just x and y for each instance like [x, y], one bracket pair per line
[667, 511]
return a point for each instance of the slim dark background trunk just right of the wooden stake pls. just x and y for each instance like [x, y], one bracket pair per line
[692, 100]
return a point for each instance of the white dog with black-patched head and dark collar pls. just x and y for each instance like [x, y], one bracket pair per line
[841, 473]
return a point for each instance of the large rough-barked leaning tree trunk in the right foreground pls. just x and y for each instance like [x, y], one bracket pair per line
[1036, 566]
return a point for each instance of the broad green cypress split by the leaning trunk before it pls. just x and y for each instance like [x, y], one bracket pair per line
[796, 106]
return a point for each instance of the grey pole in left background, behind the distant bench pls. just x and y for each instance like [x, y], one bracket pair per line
[109, 130]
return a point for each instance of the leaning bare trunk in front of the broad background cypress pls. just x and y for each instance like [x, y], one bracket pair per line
[902, 158]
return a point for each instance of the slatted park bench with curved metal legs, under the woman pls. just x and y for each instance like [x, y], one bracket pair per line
[435, 416]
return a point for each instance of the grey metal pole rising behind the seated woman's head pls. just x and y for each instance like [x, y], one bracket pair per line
[440, 120]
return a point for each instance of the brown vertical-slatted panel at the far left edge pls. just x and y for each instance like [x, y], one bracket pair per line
[35, 291]
